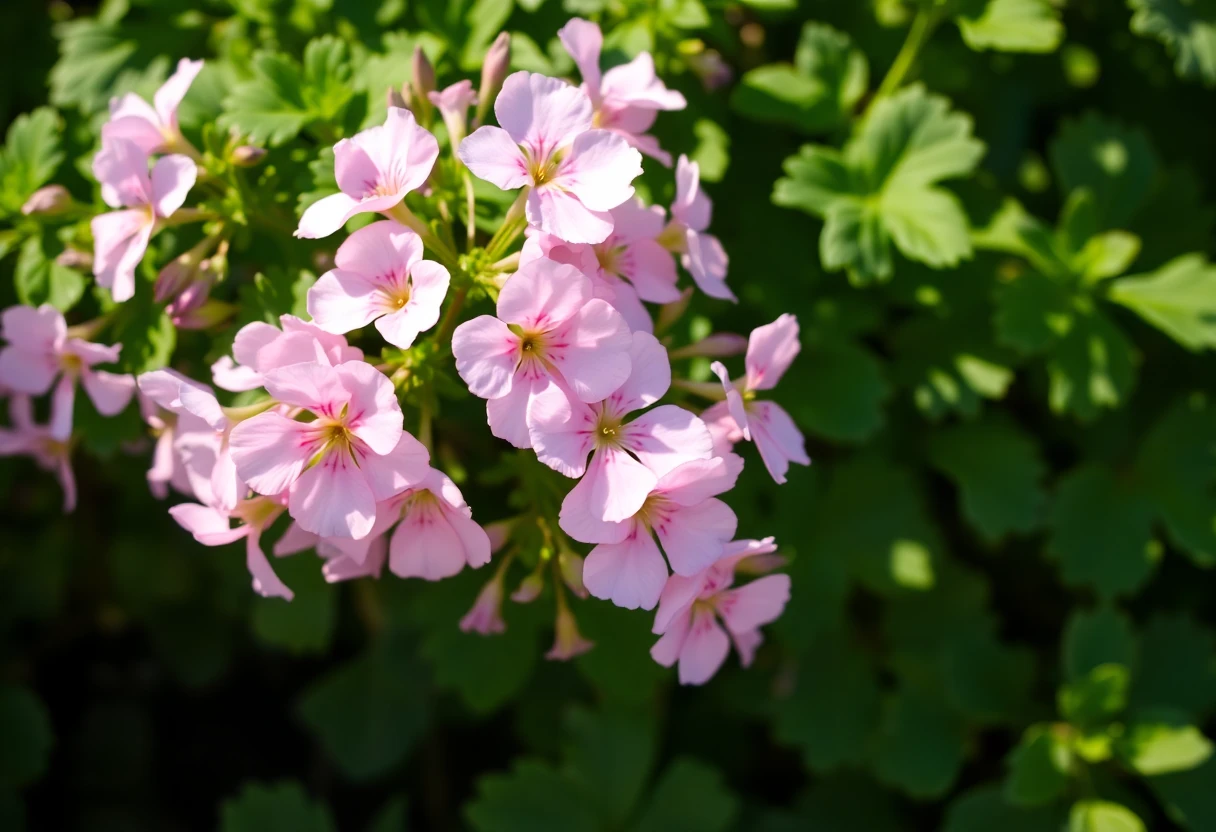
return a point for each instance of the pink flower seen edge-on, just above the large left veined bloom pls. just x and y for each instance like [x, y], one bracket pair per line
[261, 348]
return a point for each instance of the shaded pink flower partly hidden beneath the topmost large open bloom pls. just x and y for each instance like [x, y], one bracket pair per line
[627, 268]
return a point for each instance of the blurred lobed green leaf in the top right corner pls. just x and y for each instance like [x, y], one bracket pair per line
[1189, 31]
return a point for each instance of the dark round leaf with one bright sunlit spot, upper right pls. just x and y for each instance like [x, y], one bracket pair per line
[1116, 164]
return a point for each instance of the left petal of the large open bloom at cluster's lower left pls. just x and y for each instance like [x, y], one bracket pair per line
[271, 452]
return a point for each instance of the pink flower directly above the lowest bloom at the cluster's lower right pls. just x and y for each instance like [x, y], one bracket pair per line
[682, 510]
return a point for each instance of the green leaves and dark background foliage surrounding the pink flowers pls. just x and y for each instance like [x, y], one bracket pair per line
[1004, 616]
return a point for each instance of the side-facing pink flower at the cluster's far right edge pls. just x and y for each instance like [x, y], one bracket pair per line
[772, 350]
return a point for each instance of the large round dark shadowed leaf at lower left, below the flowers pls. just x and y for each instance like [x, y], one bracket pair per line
[369, 712]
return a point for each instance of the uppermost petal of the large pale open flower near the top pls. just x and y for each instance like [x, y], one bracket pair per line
[542, 114]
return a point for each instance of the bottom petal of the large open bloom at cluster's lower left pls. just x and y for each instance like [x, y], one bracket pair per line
[333, 499]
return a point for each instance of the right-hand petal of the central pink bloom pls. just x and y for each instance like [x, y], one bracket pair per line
[595, 358]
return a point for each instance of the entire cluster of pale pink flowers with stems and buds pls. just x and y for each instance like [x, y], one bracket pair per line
[573, 363]
